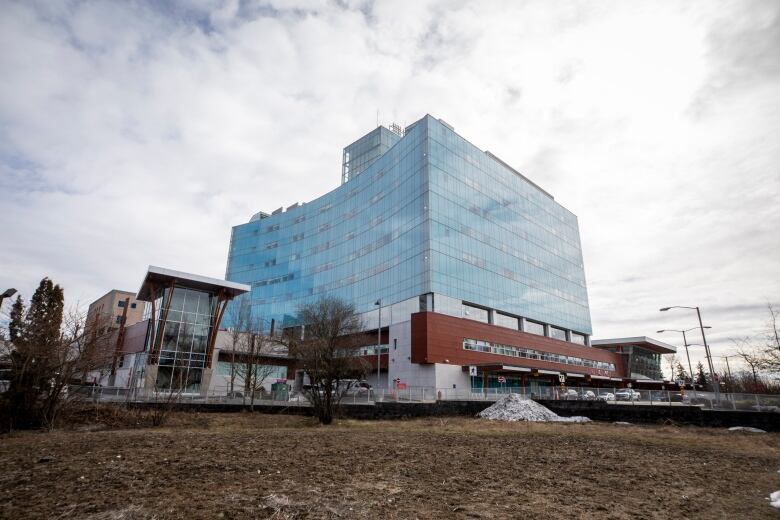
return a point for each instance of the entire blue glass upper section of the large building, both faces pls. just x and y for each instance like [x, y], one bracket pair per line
[424, 213]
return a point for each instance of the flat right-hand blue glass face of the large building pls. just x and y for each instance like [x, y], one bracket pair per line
[498, 240]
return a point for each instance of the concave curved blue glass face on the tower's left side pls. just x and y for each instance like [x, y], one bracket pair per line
[374, 245]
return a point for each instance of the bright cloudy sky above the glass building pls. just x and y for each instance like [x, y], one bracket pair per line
[136, 133]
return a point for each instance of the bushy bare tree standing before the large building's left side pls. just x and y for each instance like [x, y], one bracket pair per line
[327, 353]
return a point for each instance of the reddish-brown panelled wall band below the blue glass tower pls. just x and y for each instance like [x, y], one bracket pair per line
[437, 338]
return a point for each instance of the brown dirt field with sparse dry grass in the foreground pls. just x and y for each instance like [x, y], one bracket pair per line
[256, 466]
